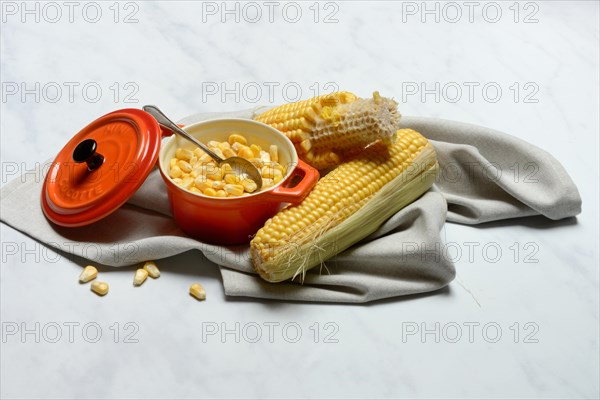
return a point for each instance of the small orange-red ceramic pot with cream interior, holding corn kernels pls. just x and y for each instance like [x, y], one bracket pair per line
[234, 220]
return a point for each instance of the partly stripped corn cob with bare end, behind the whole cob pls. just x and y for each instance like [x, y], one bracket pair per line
[330, 127]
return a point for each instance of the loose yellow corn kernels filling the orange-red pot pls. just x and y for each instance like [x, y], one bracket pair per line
[197, 172]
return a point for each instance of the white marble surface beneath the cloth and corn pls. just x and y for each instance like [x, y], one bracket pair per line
[174, 55]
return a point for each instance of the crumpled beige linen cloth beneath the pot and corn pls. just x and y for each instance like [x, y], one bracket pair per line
[477, 183]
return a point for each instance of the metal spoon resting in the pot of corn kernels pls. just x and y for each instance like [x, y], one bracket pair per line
[240, 165]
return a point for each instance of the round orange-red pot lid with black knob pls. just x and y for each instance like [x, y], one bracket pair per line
[101, 167]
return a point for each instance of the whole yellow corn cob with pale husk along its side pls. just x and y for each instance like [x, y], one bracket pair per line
[345, 206]
